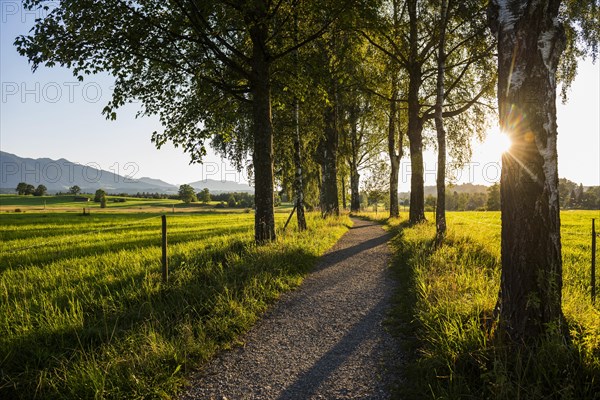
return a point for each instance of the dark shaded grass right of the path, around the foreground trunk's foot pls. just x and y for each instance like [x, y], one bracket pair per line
[471, 366]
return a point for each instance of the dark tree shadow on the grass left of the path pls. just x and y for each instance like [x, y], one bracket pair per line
[209, 295]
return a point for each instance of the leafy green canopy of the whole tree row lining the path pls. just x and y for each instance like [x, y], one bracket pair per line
[299, 92]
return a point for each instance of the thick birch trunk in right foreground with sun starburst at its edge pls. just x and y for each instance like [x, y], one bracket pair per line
[530, 42]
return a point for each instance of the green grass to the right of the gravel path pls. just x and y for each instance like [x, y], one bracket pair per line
[447, 295]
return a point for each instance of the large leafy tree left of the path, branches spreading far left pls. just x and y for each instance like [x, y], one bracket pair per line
[205, 68]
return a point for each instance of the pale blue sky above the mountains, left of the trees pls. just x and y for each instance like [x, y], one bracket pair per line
[50, 114]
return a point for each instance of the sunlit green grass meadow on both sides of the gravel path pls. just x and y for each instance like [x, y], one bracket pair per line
[84, 312]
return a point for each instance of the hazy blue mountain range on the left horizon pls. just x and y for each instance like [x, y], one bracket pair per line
[59, 175]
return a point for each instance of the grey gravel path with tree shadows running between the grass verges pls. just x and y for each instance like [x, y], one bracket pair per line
[322, 341]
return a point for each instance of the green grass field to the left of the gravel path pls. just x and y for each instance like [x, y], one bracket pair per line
[84, 314]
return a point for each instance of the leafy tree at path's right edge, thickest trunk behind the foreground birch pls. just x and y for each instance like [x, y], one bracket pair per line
[414, 48]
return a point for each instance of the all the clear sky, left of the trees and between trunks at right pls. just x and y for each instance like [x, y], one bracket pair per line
[51, 114]
